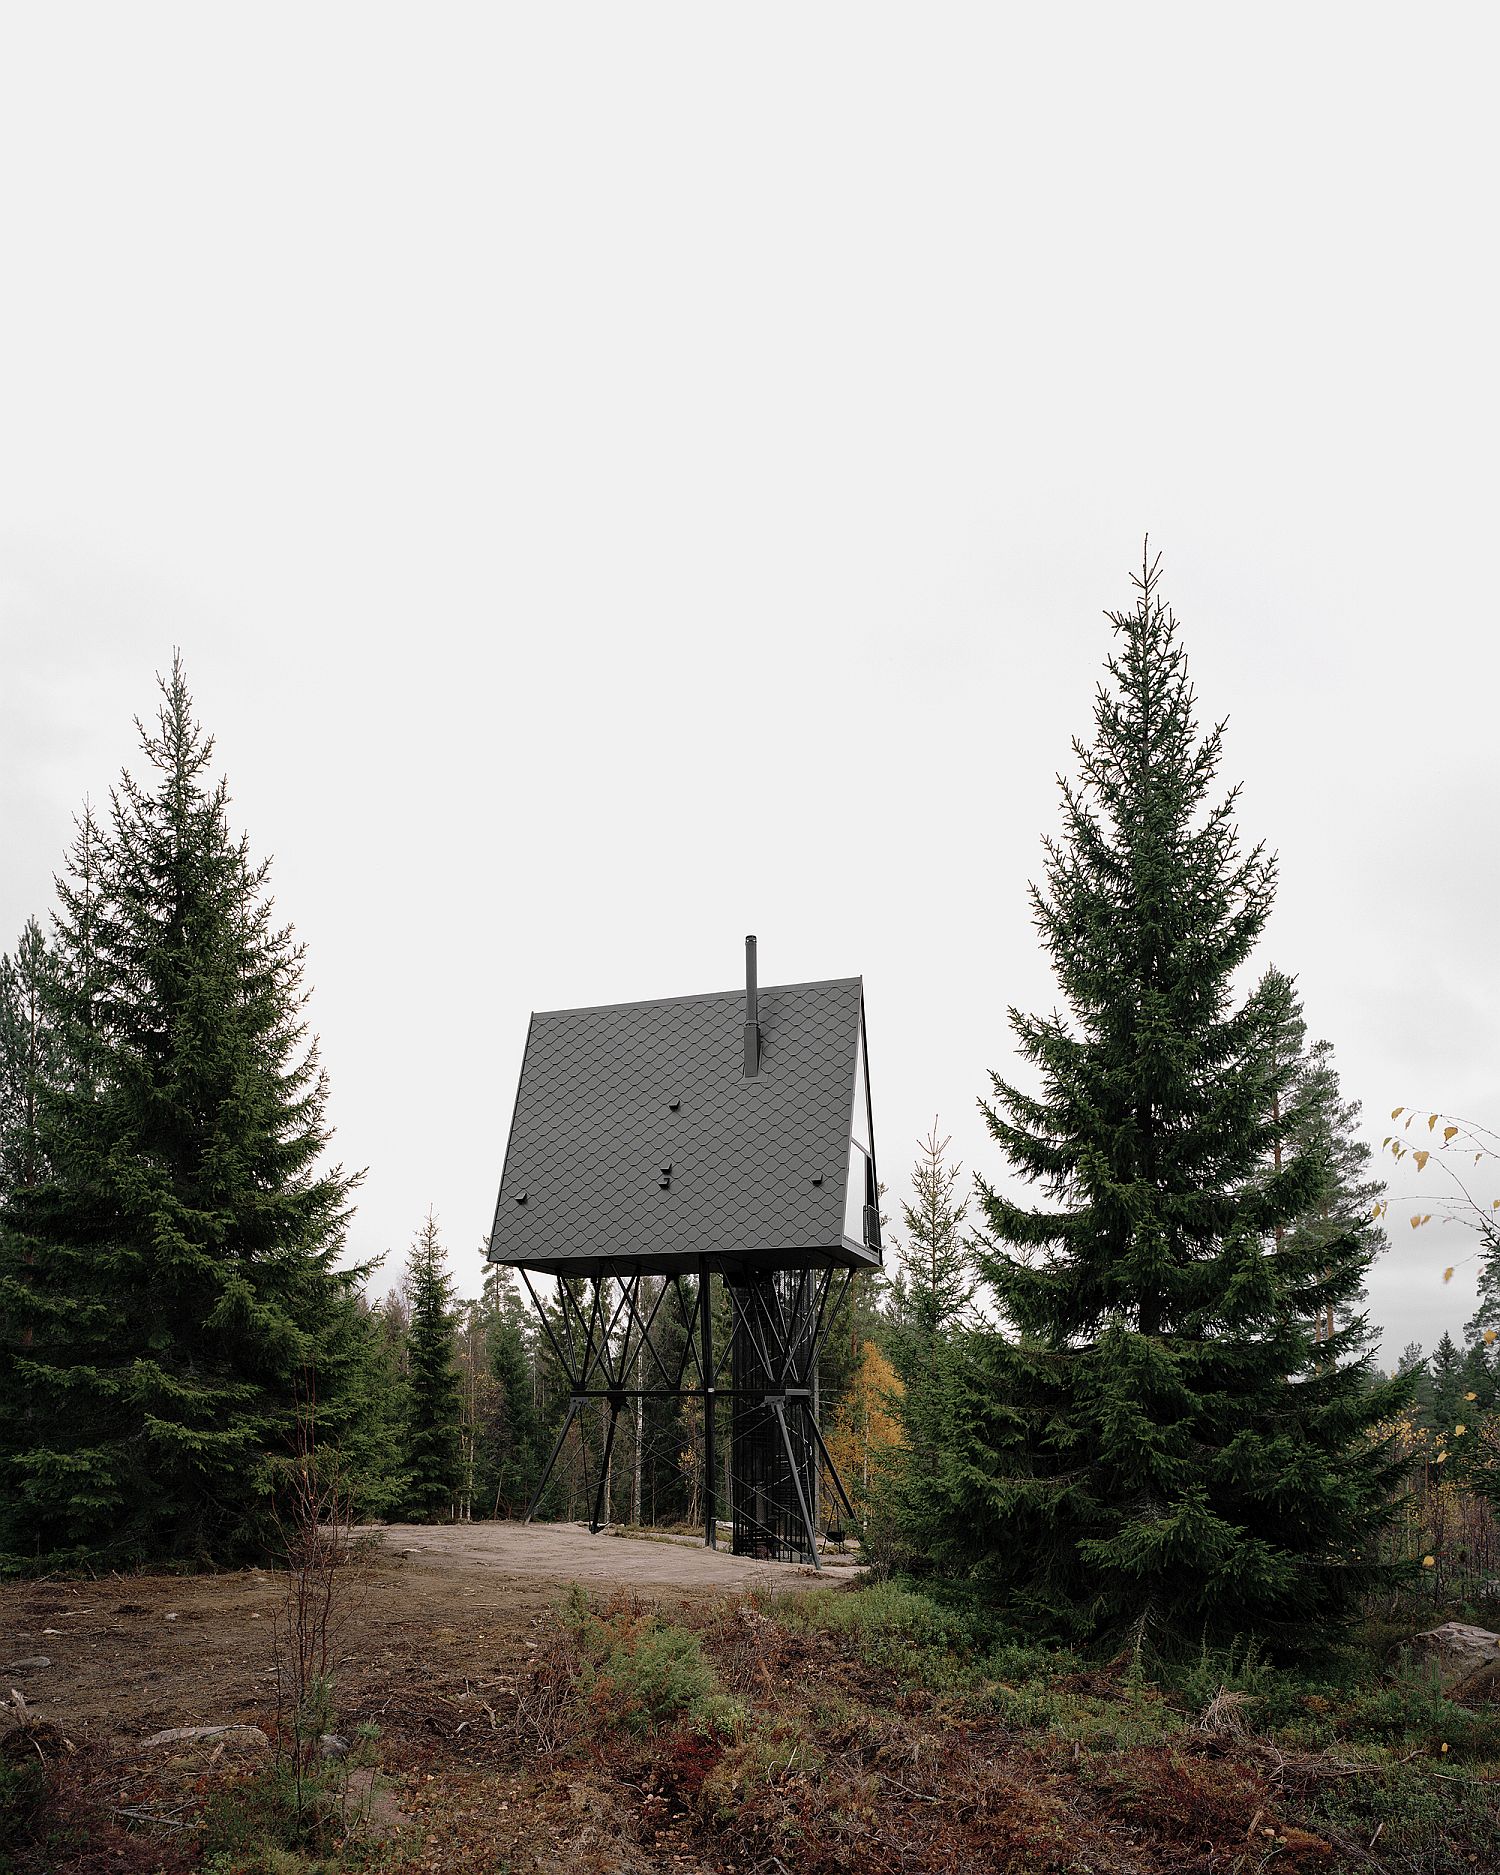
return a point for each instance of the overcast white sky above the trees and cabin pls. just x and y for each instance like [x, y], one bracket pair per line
[627, 477]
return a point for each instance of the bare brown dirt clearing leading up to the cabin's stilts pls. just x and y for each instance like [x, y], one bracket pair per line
[443, 1628]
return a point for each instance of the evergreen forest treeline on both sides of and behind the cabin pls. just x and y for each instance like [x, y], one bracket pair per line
[1124, 1394]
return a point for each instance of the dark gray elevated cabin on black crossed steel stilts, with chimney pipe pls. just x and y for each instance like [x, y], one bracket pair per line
[659, 1147]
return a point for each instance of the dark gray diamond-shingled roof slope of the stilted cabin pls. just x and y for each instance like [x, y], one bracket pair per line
[595, 1126]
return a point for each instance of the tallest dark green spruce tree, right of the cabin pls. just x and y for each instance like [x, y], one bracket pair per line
[1158, 1450]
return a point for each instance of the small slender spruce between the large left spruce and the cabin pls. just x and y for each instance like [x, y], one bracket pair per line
[434, 1388]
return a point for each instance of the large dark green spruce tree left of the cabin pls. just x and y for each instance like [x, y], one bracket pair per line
[168, 1283]
